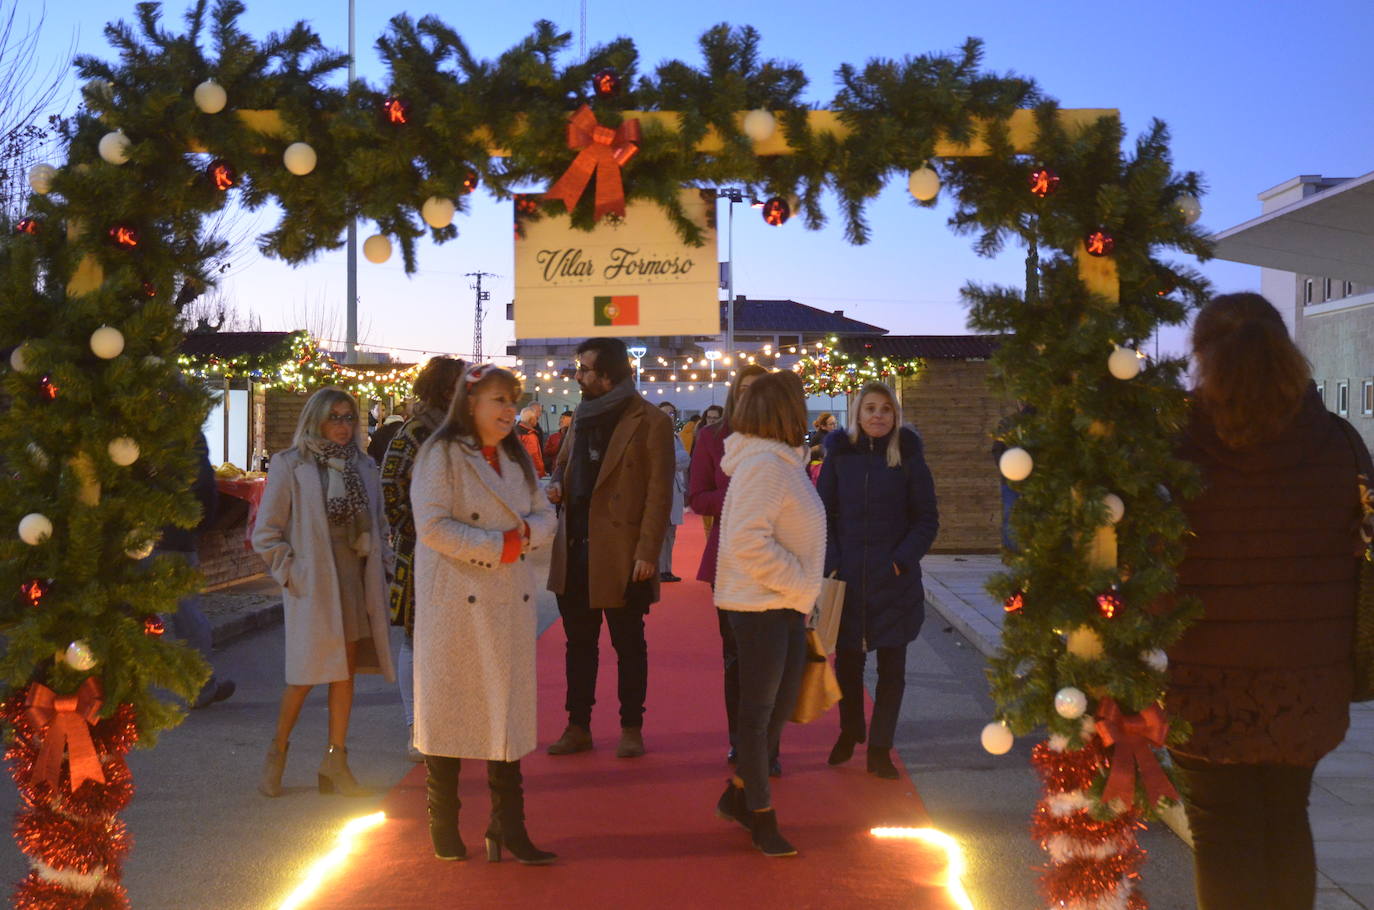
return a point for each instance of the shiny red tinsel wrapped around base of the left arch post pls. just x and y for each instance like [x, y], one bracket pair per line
[67, 831]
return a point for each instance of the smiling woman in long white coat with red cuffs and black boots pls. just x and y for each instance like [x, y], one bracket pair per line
[479, 512]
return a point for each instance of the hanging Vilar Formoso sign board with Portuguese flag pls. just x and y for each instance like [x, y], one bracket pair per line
[627, 278]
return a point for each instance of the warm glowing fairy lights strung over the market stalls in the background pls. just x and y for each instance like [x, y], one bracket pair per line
[300, 365]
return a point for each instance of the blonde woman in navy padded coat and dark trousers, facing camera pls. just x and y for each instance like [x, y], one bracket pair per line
[881, 520]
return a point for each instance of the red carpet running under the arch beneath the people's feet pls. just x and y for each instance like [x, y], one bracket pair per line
[642, 832]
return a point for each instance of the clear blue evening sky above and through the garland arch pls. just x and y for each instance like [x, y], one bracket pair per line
[1255, 94]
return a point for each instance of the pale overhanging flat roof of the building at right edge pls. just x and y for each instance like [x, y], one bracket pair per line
[1329, 233]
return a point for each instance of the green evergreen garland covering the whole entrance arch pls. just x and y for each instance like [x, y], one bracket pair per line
[1089, 432]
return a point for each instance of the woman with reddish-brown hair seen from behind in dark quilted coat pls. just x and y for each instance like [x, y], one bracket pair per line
[1266, 677]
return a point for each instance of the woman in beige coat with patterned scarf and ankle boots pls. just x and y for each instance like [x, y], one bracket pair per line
[322, 531]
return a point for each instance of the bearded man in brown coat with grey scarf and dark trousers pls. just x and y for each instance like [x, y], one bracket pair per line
[615, 476]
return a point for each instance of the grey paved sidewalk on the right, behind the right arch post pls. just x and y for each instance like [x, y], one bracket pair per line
[1343, 790]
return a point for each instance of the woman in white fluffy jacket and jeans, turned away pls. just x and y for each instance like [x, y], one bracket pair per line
[773, 549]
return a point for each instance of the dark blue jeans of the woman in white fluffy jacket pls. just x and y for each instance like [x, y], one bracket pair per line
[773, 656]
